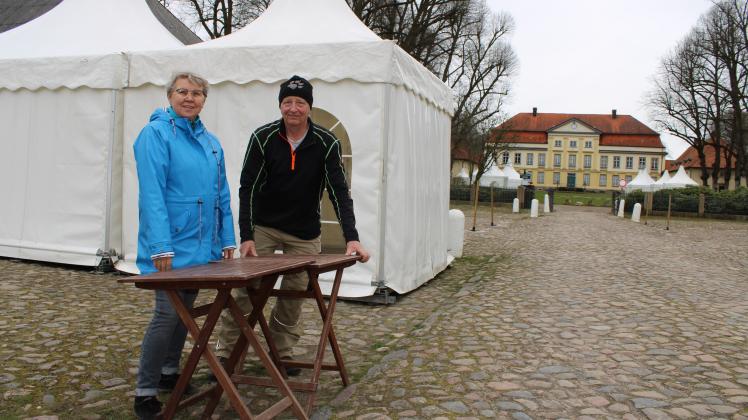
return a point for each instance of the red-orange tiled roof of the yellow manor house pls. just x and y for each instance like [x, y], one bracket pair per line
[623, 130]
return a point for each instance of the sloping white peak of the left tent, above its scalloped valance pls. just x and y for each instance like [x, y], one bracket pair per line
[88, 27]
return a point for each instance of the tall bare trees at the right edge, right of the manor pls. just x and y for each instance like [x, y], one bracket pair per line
[700, 93]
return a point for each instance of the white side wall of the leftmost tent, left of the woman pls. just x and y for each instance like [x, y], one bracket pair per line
[60, 179]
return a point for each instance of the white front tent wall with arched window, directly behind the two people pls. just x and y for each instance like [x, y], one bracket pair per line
[232, 112]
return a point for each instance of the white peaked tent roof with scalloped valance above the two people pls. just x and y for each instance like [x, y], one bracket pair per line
[284, 37]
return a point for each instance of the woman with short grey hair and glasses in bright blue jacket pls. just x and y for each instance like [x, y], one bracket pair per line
[185, 220]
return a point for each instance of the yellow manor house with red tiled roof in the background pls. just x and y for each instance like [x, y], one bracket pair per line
[591, 151]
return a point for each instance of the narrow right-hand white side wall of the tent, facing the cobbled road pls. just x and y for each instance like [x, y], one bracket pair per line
[417, 192]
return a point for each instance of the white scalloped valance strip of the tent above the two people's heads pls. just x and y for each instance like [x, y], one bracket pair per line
[364, 62]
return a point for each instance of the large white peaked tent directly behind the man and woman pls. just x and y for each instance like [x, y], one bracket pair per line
[395, 113]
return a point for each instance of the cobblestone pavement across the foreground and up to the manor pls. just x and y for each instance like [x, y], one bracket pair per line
[575, 314]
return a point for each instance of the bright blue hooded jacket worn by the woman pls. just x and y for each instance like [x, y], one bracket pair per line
[183, 200]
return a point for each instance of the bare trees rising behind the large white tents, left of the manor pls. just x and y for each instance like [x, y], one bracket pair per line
[463, 42]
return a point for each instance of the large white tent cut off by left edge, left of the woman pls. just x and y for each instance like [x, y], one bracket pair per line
[61, 77]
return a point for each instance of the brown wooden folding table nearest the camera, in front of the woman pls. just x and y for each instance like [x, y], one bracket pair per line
[258, 275]
